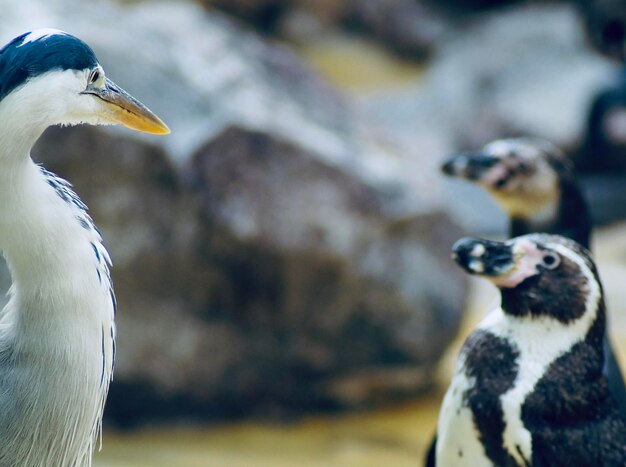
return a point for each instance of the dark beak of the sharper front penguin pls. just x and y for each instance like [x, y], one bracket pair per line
[484, 257]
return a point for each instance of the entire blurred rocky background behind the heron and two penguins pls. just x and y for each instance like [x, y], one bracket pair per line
[286, 296]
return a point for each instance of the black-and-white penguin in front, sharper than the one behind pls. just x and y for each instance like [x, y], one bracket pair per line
[528, 387]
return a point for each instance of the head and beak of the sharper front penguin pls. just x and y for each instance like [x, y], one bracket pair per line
[537, 274]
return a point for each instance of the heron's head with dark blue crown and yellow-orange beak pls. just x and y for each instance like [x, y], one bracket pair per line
[57, 79]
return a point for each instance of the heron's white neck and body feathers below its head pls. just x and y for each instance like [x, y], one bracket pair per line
[57, 331]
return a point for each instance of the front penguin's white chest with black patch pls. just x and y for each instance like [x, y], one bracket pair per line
[480, 423]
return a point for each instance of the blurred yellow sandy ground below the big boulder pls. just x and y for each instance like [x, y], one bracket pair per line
[394, 437]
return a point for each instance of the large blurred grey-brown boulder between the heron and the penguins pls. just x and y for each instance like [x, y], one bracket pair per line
[274, 254]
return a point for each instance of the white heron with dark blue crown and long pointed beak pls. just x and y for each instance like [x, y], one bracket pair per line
[57, 332]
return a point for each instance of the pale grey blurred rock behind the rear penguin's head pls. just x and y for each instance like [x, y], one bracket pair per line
[524, 70]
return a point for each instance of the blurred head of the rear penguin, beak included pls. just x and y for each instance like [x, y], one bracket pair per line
[522, 174]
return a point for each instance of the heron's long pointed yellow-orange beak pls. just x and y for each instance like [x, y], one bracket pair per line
[121, 107]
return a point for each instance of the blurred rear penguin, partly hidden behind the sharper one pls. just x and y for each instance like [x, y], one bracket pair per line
[534, 183]
